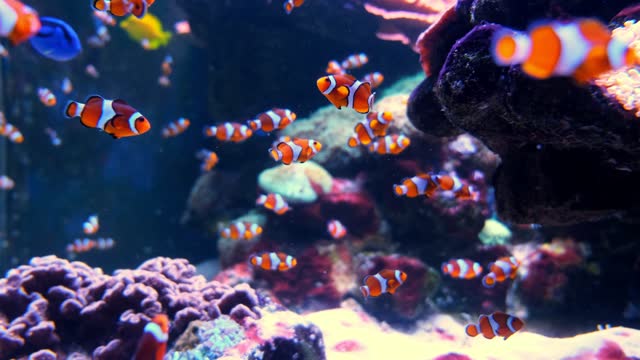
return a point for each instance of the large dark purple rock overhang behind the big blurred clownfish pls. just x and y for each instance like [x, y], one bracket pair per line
[537, 127]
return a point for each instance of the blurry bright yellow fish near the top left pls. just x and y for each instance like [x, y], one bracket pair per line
[147, 31]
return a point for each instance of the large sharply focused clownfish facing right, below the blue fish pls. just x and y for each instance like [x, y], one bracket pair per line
[114, 117]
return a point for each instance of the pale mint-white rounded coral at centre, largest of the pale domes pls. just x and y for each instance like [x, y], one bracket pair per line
[299, 183]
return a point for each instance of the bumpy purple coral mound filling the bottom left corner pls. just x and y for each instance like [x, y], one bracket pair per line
[53, 303]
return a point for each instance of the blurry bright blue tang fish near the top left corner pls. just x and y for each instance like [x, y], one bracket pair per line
[56, 40]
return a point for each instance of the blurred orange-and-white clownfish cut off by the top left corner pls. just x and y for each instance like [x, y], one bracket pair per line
[19, 21]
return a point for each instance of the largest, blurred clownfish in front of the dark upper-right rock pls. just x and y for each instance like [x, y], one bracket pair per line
[582, 49]
